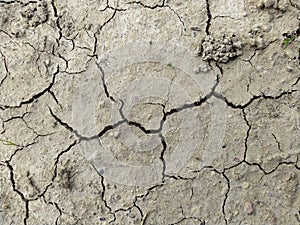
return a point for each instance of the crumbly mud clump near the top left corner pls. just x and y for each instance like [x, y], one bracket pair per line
[35, 14]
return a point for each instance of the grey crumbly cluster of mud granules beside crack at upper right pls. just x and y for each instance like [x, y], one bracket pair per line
[221, 49]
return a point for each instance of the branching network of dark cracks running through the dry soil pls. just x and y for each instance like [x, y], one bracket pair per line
[124, 120]
